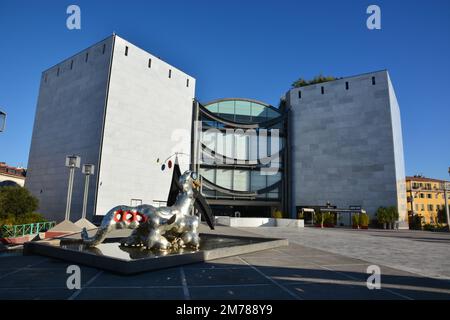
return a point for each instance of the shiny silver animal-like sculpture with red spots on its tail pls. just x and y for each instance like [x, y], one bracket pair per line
[160, 228]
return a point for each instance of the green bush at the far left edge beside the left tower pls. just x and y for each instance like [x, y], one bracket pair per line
[18, 205]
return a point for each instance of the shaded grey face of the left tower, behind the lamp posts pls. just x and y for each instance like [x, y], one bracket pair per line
[68, 120]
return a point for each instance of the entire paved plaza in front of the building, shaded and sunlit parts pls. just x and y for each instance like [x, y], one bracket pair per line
[317, 264]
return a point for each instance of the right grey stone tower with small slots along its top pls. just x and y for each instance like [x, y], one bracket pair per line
[346, 144]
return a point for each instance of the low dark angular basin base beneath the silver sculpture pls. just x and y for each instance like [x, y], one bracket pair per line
[112, 256]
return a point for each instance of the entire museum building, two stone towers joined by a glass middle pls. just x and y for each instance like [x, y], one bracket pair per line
[337, 143]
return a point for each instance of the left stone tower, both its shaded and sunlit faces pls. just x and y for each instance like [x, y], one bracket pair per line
[119, 108]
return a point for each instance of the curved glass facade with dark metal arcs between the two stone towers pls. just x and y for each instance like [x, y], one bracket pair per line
[240, 154]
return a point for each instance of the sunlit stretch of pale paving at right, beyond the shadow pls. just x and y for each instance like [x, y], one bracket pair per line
[422, 252]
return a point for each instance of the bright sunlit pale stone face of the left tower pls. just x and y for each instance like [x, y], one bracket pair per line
[148, 117]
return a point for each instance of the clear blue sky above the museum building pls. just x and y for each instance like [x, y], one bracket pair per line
[253, 49]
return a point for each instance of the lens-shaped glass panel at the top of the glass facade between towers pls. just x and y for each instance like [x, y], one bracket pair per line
[243, 110]
